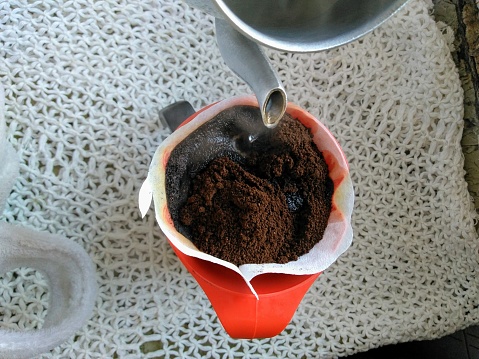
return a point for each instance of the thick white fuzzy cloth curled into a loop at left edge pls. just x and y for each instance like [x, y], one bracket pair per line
[68, 269]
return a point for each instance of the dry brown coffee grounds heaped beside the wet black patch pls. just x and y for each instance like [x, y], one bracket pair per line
[270, 208]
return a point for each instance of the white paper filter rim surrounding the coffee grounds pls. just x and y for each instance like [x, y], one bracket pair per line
[337, 237]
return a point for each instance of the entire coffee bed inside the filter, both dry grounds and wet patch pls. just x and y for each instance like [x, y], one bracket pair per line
[247, 194]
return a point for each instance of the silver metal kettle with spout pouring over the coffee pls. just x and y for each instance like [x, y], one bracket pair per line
[287, 25]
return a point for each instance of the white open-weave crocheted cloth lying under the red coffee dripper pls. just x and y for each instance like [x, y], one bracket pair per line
[84, 81]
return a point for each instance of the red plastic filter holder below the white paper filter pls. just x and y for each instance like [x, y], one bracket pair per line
[242, 315]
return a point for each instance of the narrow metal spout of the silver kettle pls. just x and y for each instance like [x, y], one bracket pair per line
[249, 62]
